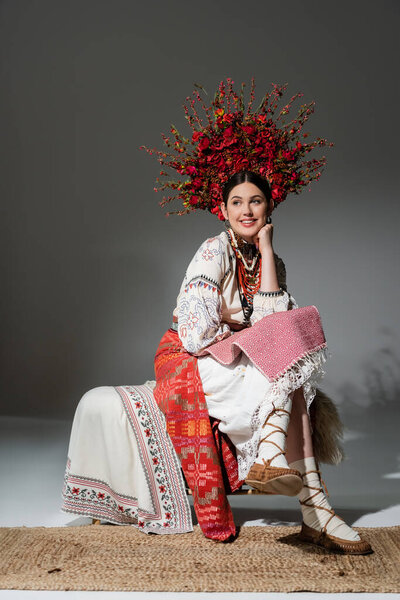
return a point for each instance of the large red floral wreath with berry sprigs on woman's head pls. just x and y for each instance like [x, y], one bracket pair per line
[232, 138]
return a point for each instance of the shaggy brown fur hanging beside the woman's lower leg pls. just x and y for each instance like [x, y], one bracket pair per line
[327, 430]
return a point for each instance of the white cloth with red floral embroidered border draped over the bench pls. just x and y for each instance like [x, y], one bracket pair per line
[121, 465]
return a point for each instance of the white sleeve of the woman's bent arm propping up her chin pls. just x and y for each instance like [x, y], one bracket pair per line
[265, 304]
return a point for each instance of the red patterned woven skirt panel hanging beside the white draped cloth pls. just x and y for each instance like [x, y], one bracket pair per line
[207, 456]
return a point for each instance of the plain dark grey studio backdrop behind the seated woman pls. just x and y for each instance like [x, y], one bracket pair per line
[90, 265]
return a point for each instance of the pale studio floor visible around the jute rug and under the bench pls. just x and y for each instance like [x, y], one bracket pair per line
[364, 491]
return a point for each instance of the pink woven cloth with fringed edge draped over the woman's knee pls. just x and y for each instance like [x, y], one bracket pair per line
[276, 342]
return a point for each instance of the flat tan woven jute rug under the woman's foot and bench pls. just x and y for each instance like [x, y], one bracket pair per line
[261, 559]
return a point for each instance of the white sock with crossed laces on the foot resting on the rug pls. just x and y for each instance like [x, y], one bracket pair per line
[317, 512]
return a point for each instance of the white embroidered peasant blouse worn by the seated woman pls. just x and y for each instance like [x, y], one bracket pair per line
[209, 302]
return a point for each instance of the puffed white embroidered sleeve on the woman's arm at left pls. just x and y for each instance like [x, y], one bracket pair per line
[199, 302]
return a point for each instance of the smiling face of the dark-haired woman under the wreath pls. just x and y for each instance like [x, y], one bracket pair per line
[246, 209]
